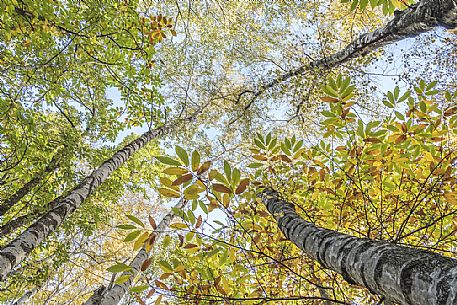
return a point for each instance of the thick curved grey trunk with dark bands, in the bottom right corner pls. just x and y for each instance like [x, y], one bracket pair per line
[401, 274]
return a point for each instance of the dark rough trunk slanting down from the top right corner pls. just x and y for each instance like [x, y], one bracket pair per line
[418, 18]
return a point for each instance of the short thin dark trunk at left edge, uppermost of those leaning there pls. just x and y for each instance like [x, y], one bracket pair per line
[26, 188]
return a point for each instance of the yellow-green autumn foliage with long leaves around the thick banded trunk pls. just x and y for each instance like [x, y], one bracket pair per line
[390, 183]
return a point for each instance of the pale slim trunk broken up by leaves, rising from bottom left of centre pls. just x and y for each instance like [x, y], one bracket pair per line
[113, 295]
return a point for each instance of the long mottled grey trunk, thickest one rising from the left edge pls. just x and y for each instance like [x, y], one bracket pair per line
[18, 249]
